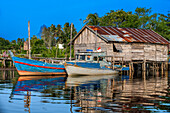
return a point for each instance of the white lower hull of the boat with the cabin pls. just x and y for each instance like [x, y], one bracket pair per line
[77, 71]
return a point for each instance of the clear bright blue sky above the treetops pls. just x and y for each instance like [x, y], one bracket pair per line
[15, 14]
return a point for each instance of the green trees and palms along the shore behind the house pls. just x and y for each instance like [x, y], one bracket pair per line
[46, 44]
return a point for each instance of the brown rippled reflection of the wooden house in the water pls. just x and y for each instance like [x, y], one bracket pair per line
[119, 95]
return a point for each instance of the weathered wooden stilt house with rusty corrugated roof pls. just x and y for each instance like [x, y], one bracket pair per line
[127, 43]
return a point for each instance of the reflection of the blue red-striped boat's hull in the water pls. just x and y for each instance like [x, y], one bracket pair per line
[37, 83]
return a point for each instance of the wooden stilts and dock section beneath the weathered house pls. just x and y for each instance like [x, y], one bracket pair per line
[131, 67]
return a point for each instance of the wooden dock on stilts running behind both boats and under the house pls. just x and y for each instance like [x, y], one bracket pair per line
[126, 67]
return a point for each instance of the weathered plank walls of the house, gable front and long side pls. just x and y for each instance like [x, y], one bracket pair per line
[129, 51]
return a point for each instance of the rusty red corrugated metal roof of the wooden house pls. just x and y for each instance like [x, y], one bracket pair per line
[114, 34]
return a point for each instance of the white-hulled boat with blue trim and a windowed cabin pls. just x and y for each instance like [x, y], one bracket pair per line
[89, 63]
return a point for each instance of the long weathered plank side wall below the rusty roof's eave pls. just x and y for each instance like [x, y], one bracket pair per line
[142, 51]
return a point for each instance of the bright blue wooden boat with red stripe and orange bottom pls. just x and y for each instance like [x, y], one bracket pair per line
[33, 67]
